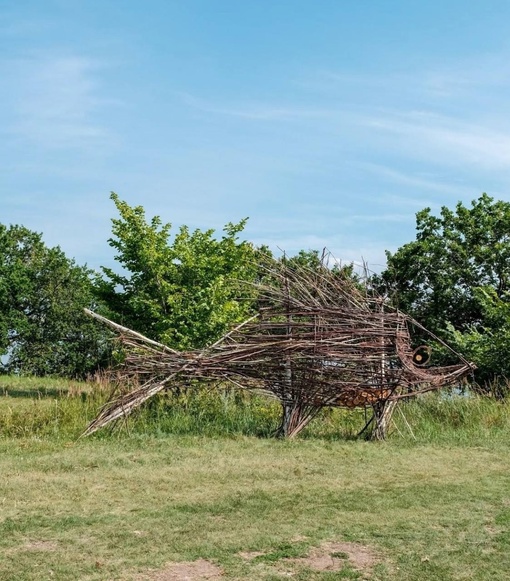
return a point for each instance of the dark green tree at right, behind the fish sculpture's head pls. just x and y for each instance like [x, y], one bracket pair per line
[456, 275]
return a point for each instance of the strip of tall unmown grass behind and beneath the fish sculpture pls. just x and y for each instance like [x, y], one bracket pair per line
[46, 408]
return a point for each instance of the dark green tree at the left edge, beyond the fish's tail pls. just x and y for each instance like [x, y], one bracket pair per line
[43, 330]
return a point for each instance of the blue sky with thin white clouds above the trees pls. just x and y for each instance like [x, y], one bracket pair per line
[327, 122]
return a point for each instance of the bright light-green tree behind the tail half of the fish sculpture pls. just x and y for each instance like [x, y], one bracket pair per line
[184, 293]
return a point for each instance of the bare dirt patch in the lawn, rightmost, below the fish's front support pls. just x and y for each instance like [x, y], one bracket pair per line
[334, 556]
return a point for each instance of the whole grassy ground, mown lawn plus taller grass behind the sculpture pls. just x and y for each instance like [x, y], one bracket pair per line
[198, 490]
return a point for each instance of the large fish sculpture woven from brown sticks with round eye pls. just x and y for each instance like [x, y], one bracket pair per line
[316, 341]
